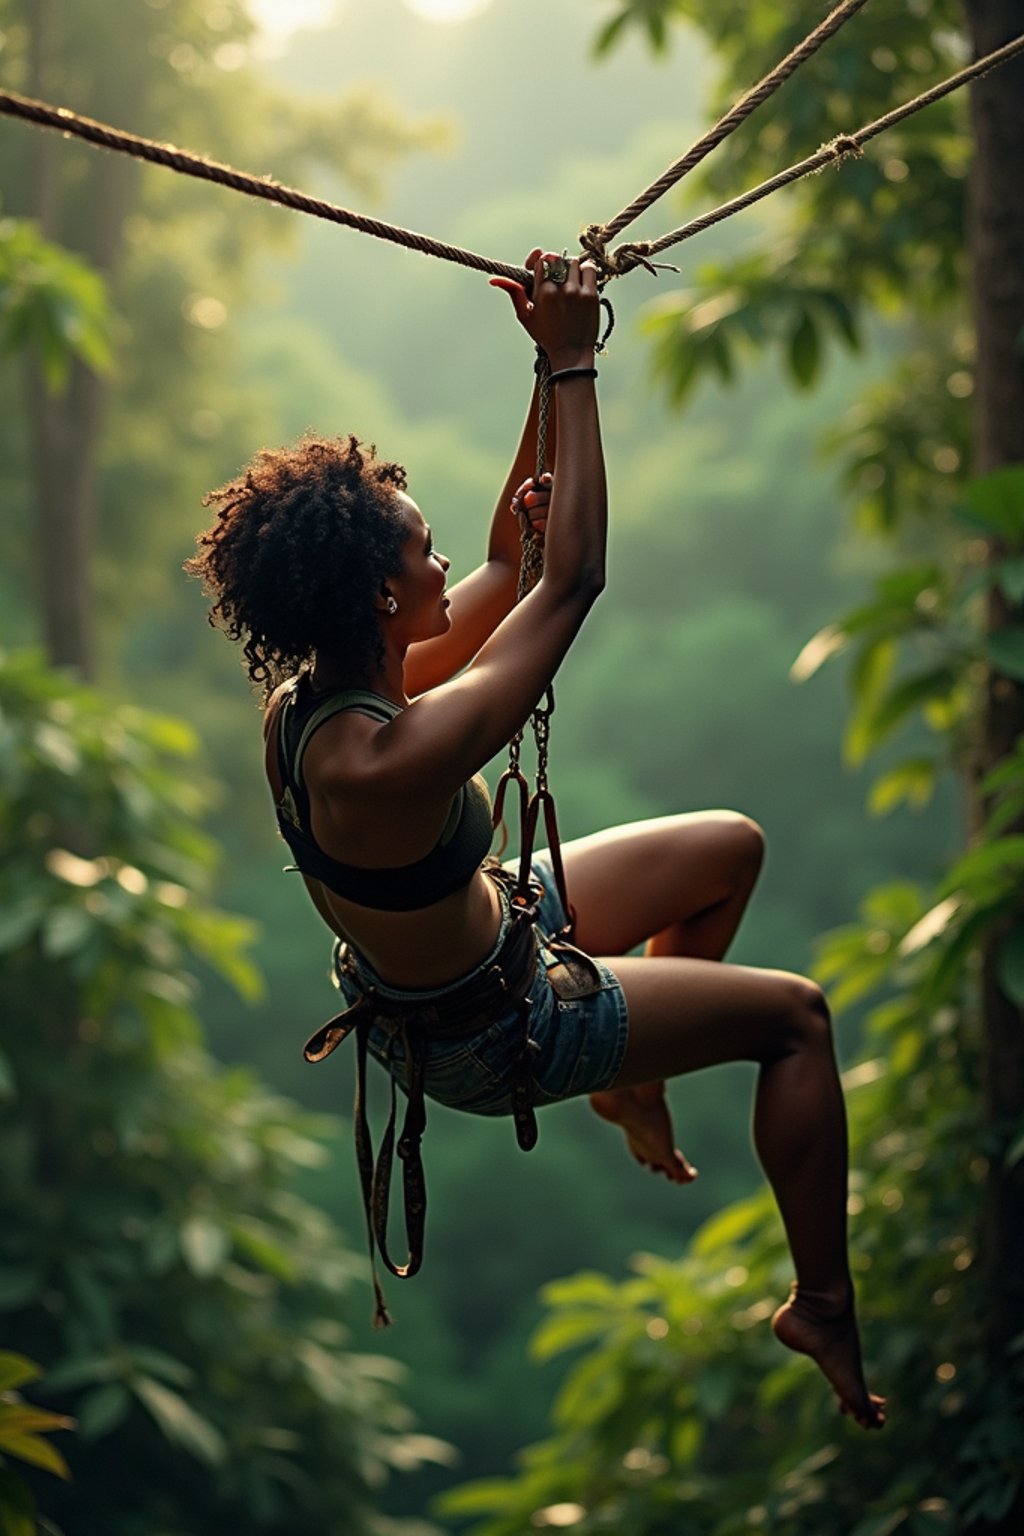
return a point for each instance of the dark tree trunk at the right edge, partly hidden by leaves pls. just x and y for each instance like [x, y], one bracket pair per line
[996, 237]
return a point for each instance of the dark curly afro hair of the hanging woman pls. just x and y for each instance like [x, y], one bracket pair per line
[297, 555]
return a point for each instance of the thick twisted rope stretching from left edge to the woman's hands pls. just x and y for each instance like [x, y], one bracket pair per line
[190, 165]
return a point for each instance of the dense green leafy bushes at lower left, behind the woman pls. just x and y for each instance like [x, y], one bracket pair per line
[157, 1253]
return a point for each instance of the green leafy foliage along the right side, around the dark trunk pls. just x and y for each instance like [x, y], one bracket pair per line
[679, 1408]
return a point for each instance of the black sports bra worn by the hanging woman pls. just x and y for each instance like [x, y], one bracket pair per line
[449, 866]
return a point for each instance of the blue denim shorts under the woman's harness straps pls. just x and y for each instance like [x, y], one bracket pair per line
[581, 1042]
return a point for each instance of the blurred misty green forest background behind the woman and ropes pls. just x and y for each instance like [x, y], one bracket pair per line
[180, 1217]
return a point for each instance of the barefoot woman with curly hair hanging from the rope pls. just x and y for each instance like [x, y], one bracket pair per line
[322, 560]
